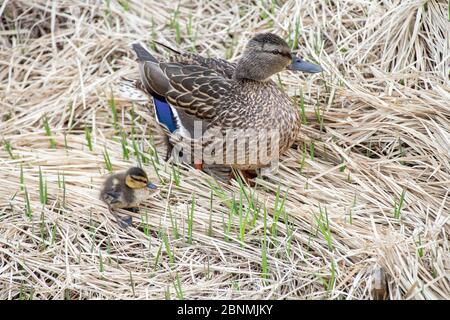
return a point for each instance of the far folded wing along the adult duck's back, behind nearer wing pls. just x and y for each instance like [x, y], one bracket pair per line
[221, 66]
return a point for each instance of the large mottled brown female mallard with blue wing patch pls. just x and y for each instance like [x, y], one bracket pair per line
[228, 107]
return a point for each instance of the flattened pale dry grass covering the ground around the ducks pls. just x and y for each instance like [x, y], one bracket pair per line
[376, 125]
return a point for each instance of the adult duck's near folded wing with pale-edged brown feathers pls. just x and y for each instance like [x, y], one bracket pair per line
[197, 90]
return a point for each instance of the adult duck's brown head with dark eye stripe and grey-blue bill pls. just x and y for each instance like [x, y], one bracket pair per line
[267, 54]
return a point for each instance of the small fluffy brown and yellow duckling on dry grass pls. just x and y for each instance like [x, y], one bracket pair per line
[126, 190]
